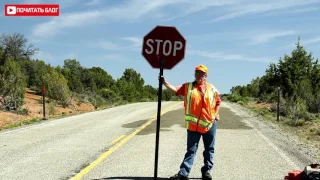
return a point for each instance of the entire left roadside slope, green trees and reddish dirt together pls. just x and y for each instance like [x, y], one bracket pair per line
[69, 84]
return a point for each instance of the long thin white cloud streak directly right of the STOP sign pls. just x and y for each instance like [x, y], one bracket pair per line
[221, 56]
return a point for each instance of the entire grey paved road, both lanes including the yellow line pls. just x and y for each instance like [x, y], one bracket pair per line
[119, 143]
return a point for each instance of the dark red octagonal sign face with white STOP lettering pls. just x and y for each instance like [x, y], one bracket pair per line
[164, 42]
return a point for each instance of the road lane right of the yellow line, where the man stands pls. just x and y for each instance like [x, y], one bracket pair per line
[242, 152]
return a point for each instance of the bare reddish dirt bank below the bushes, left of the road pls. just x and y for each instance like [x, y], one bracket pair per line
[33, 103]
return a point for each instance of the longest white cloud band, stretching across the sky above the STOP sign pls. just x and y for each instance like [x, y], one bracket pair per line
[131, 10]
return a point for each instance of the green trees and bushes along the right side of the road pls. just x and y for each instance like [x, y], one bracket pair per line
[298, 78]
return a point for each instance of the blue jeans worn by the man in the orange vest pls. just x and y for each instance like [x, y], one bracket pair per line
[192, 147]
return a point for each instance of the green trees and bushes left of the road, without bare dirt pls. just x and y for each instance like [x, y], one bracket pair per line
[19, 71]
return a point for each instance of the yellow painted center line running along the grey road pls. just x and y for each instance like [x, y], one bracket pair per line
[119, 144]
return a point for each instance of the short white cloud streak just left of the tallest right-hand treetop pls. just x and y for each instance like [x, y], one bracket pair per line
[266, 37]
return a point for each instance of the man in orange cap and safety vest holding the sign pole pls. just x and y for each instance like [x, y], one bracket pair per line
[202, 105]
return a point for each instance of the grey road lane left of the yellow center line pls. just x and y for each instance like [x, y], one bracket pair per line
[58, 149]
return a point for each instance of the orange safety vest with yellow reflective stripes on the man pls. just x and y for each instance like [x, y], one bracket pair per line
[200, 110]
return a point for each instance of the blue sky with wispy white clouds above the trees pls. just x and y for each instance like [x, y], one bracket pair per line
[235, 39]
